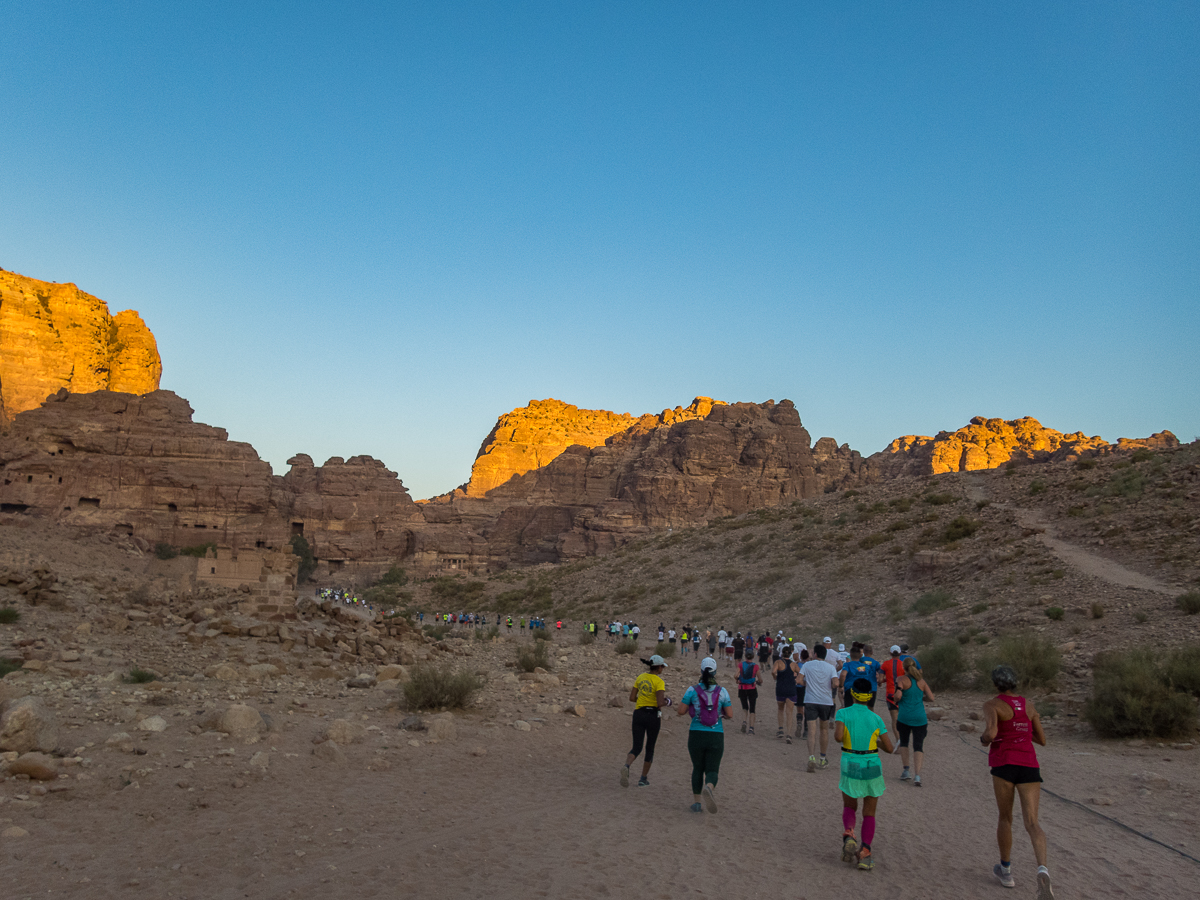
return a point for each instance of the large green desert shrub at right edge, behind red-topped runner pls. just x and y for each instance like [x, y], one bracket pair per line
[1132, 697]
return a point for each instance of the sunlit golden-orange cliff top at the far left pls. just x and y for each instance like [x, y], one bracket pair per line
[56, 337]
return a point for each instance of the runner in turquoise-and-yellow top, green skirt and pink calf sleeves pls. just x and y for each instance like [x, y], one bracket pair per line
[861, 733]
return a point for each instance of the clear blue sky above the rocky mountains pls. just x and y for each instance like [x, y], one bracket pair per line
[375, 227]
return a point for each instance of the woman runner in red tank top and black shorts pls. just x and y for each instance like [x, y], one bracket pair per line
[1011, 729]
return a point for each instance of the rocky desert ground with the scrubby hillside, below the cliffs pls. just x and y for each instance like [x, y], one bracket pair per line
[278, 759]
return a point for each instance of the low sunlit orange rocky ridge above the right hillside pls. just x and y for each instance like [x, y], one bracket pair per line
[992, 443]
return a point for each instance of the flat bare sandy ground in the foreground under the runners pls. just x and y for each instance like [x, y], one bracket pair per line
[542, 814]
